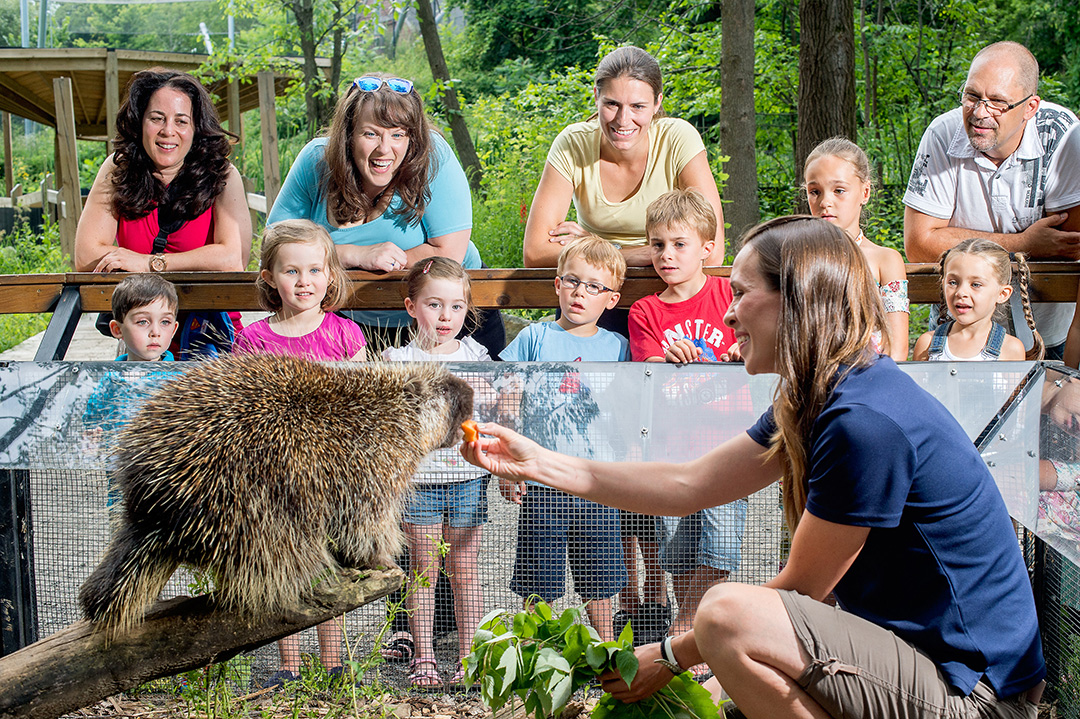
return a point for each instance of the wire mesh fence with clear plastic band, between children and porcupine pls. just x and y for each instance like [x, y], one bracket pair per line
[60, 423]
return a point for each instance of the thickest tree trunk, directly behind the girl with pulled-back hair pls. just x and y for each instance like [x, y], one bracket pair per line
[827, 75]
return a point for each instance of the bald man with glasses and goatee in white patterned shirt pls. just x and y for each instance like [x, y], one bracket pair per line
[1004, 166]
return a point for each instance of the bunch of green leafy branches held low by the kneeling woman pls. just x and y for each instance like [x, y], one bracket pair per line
[543, 660]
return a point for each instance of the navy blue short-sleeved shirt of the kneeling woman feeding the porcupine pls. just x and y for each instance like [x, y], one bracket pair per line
[941, 567]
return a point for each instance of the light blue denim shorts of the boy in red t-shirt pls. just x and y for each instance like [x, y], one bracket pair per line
[710, 538]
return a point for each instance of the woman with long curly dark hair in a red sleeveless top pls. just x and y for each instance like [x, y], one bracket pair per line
[168, 198]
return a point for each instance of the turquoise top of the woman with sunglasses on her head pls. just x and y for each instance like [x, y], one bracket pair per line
[450, 210]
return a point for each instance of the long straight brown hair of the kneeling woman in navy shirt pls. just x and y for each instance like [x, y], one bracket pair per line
[831, 308]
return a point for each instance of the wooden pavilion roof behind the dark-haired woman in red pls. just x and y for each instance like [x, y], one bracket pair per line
[26, 83]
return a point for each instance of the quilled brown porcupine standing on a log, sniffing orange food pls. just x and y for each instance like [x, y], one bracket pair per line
[267, 471]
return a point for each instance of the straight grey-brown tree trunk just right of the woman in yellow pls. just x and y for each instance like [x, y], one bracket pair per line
[738, 123]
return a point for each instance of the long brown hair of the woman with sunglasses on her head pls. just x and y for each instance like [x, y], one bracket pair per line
[345, 198]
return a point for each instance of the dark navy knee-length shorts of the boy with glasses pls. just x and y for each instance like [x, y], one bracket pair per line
[555, 527]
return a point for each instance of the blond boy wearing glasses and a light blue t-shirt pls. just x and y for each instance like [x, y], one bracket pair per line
[557, 410]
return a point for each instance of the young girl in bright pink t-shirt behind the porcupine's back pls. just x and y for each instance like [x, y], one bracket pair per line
[303, 282]
